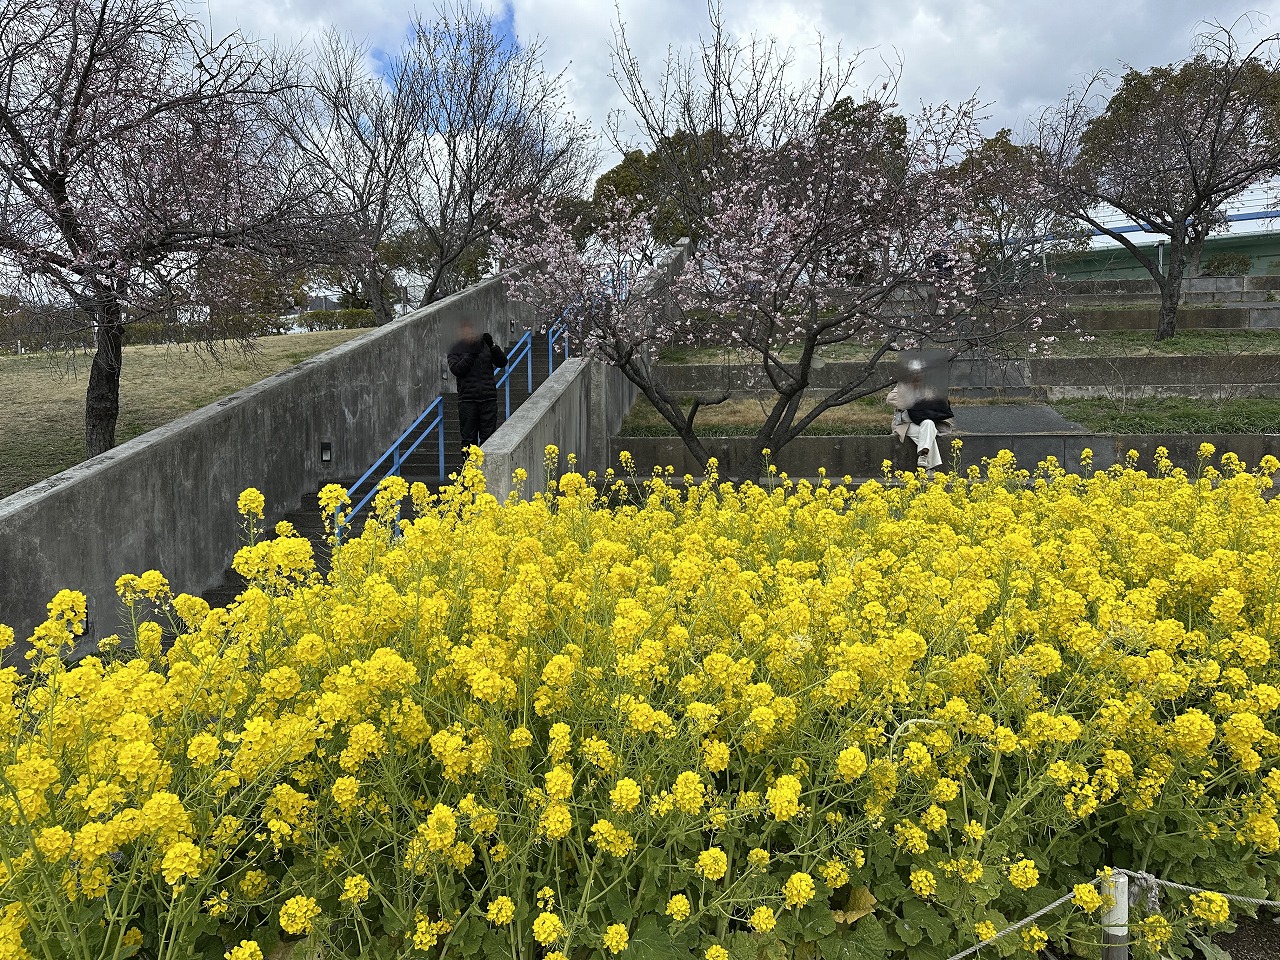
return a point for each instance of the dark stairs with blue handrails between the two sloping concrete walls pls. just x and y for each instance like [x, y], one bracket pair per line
[422, 467]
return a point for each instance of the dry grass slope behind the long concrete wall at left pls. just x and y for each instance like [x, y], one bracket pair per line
[43, 419]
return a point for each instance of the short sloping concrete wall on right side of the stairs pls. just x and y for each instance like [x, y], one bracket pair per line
[579, 409]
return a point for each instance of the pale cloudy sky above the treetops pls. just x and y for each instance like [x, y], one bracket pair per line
[1017, 56]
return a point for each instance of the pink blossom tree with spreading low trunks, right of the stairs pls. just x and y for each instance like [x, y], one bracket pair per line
[861, 244]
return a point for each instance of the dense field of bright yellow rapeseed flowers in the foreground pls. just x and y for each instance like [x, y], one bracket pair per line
[661, 721]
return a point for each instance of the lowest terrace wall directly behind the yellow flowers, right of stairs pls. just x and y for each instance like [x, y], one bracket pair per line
[863, 456]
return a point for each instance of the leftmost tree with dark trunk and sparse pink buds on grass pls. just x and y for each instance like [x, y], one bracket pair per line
[141, 168]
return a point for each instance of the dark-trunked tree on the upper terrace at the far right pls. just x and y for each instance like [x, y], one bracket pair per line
[1169, 148]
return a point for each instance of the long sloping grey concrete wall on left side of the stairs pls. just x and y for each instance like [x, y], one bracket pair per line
[167, 500]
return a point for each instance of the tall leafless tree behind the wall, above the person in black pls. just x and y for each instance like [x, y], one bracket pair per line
[490, 120]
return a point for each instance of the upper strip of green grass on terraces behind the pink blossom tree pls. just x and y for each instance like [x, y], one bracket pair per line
[1104, 344]
